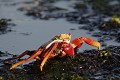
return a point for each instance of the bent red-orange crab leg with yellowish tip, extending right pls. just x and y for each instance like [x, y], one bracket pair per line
[77, 43]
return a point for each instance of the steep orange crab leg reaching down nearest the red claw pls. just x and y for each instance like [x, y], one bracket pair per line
[48, 53]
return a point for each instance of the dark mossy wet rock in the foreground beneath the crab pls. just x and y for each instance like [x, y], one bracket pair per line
[84, 65]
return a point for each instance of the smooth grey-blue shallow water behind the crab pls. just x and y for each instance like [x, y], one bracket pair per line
[29, 33]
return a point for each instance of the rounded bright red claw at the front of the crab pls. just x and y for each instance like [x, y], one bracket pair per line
[68, 49]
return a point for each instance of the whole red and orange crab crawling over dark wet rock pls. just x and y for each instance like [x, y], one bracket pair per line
[59, 45]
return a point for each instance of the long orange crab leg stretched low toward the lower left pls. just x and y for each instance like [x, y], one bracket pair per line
[37, 52]
